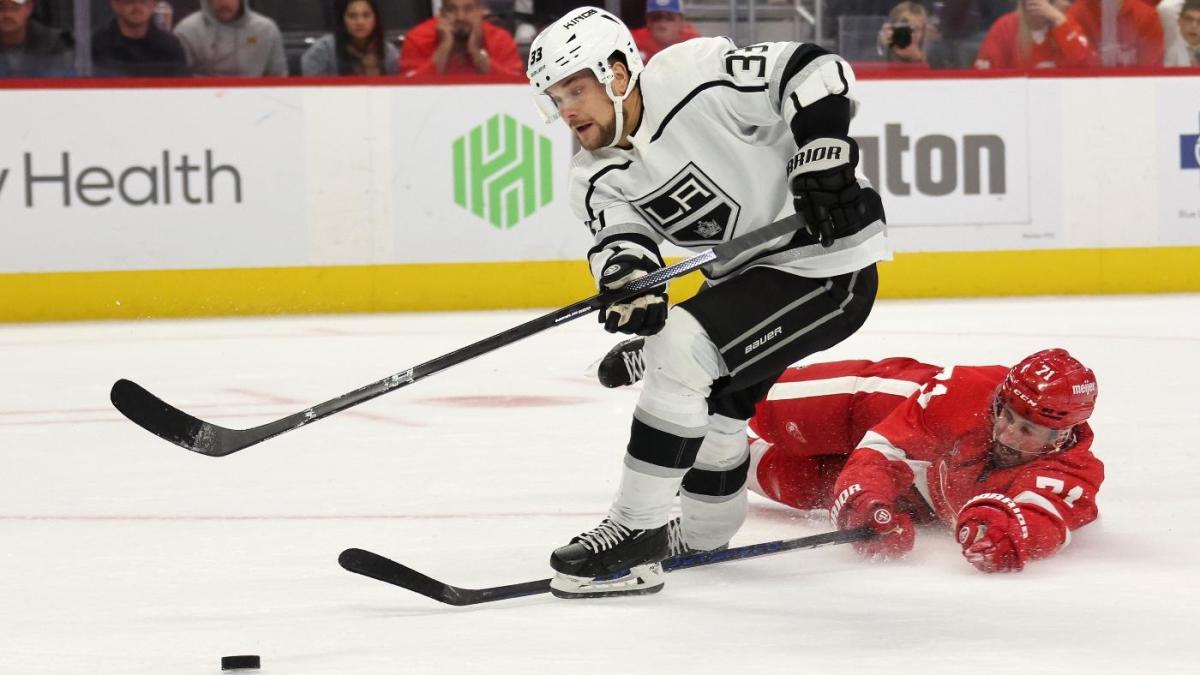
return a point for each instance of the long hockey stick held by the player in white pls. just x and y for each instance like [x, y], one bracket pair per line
[166, 421]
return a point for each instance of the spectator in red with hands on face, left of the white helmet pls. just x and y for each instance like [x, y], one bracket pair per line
[460, 41]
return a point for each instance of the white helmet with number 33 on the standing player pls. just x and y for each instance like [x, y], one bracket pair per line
[584, 39]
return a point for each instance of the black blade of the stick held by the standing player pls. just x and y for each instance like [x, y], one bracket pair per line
[170, 423]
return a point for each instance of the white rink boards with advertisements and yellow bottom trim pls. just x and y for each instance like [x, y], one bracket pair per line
[245, 200]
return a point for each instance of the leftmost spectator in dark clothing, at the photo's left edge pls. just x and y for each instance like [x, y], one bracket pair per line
[29, 49]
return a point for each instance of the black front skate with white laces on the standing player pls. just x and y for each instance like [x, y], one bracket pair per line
[611, 560]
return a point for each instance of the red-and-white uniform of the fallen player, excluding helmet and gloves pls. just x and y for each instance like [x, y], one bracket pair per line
[934, 444]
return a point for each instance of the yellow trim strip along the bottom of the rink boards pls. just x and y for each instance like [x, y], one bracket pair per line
[487, 286]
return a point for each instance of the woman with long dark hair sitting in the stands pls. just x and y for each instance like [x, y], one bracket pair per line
[356, 47]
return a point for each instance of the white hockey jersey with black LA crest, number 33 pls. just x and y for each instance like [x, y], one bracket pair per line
[709, 160]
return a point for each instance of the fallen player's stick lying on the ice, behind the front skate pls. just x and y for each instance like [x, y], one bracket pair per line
[392, 572]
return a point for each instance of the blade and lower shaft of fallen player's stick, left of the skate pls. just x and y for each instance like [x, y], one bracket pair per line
[392, 572]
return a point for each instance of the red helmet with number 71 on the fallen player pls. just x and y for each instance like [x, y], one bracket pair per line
[1051, 389]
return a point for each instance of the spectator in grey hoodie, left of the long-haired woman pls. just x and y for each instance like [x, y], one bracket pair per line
[225, 38]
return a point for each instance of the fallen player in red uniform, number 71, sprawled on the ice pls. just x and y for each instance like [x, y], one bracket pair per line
[1004, 456]
